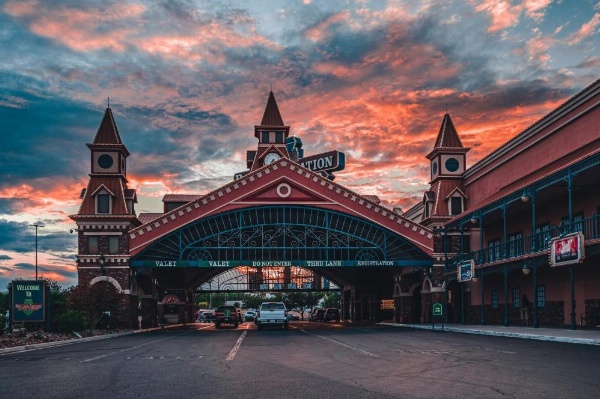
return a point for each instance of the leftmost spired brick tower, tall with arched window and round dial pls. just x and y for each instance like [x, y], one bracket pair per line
[107, 211]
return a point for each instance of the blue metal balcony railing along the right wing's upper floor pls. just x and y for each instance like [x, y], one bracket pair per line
[516, 248]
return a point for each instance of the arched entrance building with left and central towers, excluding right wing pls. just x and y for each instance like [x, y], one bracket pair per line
[283, 211]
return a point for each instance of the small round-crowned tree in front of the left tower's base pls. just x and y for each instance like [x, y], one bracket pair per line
[94, 301]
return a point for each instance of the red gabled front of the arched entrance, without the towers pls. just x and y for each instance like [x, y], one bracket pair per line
[319, 225]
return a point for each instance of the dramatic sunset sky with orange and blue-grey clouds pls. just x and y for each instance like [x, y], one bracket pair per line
[189, 79]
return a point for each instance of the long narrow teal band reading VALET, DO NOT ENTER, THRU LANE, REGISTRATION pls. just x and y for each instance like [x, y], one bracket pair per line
[284, 263]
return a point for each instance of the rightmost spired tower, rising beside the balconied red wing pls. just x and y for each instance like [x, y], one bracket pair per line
[446, 196]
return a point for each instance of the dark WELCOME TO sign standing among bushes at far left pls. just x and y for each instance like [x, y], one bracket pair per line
[28, 301]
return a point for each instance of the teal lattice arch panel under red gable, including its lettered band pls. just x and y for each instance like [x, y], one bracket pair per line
[282, 236]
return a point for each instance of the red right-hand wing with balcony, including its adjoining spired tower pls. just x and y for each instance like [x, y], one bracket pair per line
[523, 221]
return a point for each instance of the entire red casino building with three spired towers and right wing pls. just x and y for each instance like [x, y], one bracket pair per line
[523, 221]
